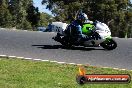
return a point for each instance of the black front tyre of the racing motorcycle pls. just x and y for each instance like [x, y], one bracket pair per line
[109, 44]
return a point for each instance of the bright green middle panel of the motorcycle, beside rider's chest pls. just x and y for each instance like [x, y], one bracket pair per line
[86, 29]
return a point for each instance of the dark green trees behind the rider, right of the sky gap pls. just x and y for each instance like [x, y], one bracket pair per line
[116, 13]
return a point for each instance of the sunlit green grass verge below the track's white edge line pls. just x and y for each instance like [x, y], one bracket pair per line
[16, 73]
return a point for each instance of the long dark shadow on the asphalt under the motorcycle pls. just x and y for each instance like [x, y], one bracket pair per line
[62, 47]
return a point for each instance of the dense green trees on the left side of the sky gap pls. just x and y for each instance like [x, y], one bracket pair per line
[21, 14]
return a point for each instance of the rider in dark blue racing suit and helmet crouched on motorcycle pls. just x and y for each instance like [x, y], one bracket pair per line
[75, 27]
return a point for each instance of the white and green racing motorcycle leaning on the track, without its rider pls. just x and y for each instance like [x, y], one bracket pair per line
[98, 34]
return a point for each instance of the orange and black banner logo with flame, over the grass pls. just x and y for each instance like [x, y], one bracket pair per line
[83, 78]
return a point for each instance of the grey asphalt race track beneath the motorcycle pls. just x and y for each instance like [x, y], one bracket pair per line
[39, 45]
